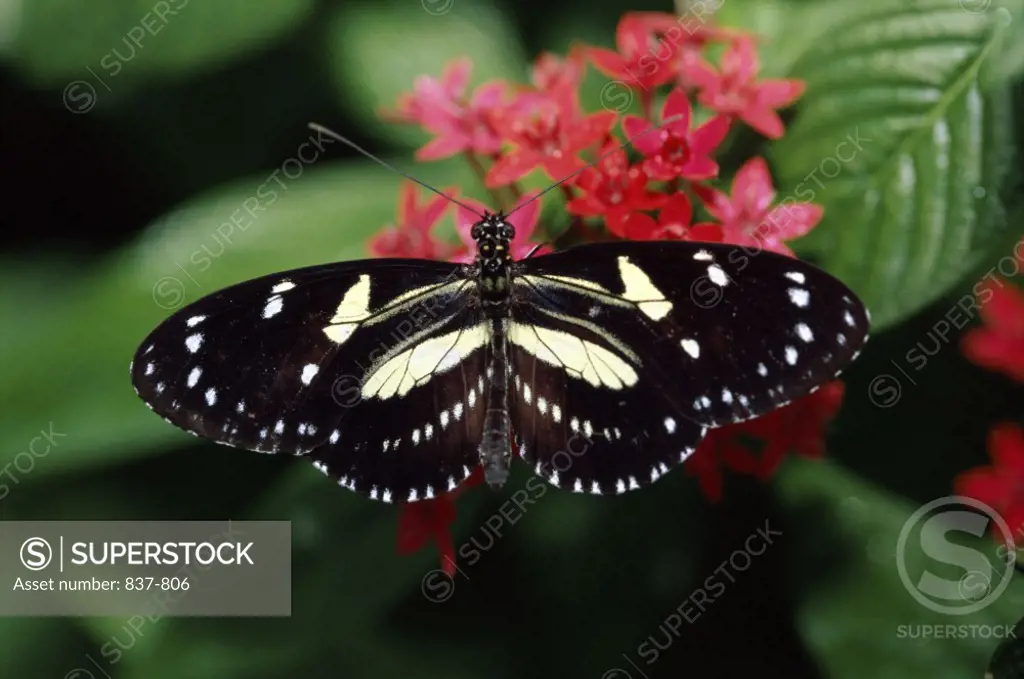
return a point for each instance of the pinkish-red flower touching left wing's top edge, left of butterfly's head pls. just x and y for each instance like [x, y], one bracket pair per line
[410, 237]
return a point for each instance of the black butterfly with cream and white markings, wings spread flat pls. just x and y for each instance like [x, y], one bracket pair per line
[605, 364]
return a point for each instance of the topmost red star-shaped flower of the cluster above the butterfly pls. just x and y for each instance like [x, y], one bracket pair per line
[644, 61]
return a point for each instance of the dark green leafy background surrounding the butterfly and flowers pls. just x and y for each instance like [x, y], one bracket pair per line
[101, 206]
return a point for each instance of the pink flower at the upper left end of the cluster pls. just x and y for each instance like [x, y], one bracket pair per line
[441, 107]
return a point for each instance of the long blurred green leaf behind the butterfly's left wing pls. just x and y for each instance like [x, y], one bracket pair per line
[84, 336]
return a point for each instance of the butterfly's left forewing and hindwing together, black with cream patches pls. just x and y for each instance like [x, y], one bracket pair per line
[337, 363]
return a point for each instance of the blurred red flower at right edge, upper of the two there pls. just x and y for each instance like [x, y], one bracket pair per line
[1000, 346]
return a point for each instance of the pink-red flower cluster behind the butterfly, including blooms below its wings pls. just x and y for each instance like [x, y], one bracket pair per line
[506, 132]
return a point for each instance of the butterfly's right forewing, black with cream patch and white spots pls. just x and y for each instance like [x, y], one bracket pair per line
[729, 333]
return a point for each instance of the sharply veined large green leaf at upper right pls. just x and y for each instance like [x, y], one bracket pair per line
[901, 141]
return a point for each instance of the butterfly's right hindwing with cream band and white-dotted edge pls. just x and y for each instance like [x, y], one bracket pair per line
[585, 415]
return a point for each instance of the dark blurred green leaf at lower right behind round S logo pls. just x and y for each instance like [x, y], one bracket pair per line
[855, 611]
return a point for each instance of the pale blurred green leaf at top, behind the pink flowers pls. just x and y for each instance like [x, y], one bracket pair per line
[378, 53]
